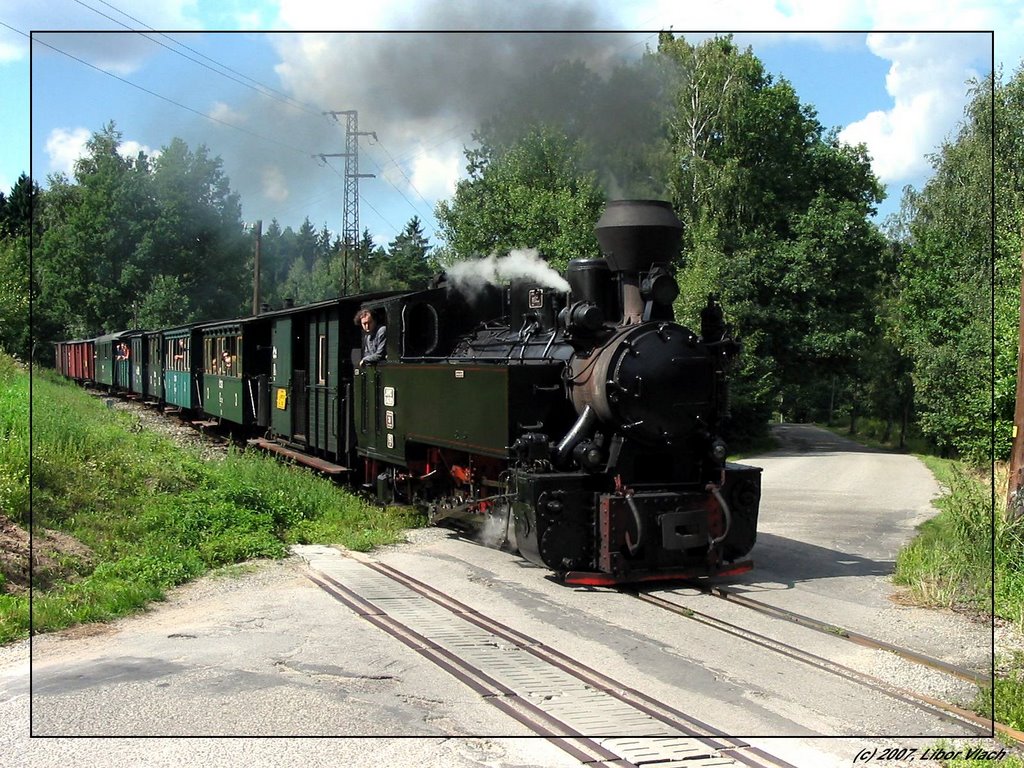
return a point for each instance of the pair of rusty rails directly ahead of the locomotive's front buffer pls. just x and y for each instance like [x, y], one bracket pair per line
[945, 710]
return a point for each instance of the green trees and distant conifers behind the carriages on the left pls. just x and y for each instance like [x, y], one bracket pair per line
[154, 242]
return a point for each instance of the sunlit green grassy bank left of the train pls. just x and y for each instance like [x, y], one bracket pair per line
[154, 515]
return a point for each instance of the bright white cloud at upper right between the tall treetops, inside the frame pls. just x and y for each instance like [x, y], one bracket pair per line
[927, 80]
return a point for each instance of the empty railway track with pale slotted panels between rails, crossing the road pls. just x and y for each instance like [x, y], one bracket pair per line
[594, 718]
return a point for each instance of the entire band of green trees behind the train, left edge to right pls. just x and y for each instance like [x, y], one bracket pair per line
[840, 320]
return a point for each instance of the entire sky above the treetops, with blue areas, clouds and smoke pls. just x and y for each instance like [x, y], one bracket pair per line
[257, 100]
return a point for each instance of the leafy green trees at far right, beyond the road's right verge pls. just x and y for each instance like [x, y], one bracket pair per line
[954, 304]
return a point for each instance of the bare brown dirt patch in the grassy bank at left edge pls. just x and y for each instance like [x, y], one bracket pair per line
[56, 558]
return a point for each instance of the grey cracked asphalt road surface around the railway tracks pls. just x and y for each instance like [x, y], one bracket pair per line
[267, 655]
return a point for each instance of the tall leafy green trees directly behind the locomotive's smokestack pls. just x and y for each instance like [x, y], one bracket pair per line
[776, 210]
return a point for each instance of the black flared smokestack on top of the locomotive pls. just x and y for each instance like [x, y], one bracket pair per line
[634, 236]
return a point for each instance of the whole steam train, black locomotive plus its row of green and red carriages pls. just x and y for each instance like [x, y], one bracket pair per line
[581, 428]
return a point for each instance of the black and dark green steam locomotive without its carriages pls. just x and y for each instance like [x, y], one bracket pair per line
[586, 421]
